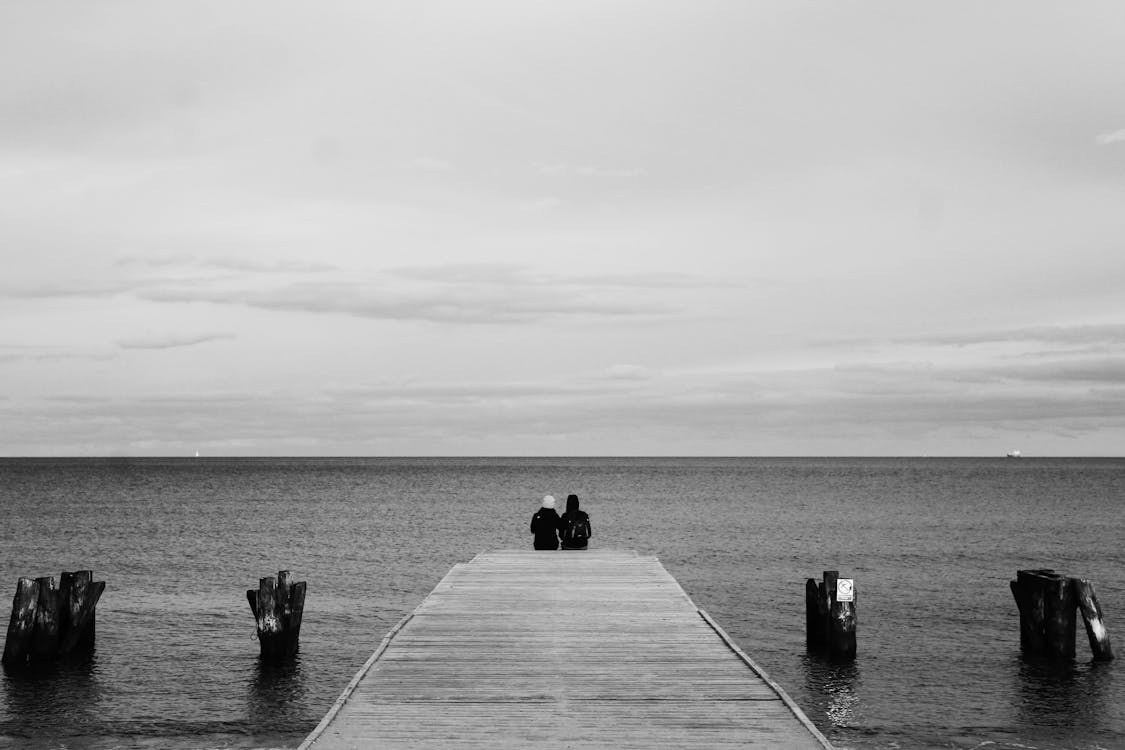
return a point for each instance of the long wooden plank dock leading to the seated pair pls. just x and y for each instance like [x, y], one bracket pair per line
[584, 649]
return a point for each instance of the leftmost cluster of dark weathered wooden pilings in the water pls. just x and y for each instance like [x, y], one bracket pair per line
[51, 621]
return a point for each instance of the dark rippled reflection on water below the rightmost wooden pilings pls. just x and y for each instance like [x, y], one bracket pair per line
[1061, 694]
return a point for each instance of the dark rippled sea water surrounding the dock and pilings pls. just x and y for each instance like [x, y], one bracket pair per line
[931, 543]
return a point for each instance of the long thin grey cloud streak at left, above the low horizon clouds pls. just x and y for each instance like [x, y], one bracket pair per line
[470, 294]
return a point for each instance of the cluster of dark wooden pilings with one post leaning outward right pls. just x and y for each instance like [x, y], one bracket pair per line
[1049, 603]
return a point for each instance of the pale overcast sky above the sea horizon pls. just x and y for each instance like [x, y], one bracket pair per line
[563, 229]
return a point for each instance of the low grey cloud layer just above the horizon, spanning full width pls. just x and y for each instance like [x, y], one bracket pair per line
[913, 403]
